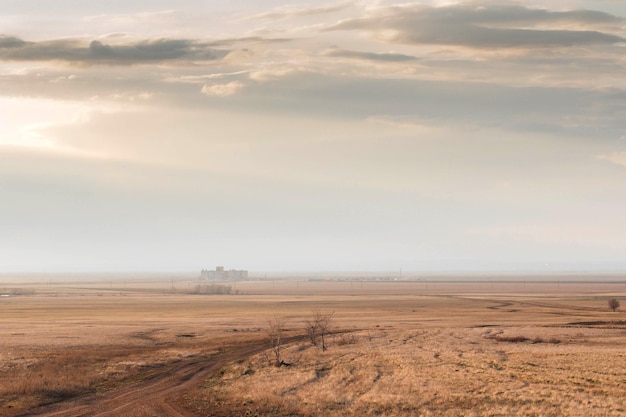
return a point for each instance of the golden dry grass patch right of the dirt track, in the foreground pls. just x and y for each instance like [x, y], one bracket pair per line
[433, 372]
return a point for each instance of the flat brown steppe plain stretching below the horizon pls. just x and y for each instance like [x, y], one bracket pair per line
[142, 347]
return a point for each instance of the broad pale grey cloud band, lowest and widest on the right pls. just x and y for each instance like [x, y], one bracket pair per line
[567, 111]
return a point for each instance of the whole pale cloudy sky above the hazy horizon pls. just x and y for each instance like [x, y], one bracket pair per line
[365, 135]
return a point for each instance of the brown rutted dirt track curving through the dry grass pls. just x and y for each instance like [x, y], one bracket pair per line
[155, 397]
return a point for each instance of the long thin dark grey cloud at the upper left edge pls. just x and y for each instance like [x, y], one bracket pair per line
[97, 52]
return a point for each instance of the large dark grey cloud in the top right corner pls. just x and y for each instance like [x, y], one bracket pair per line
[488, 26]
